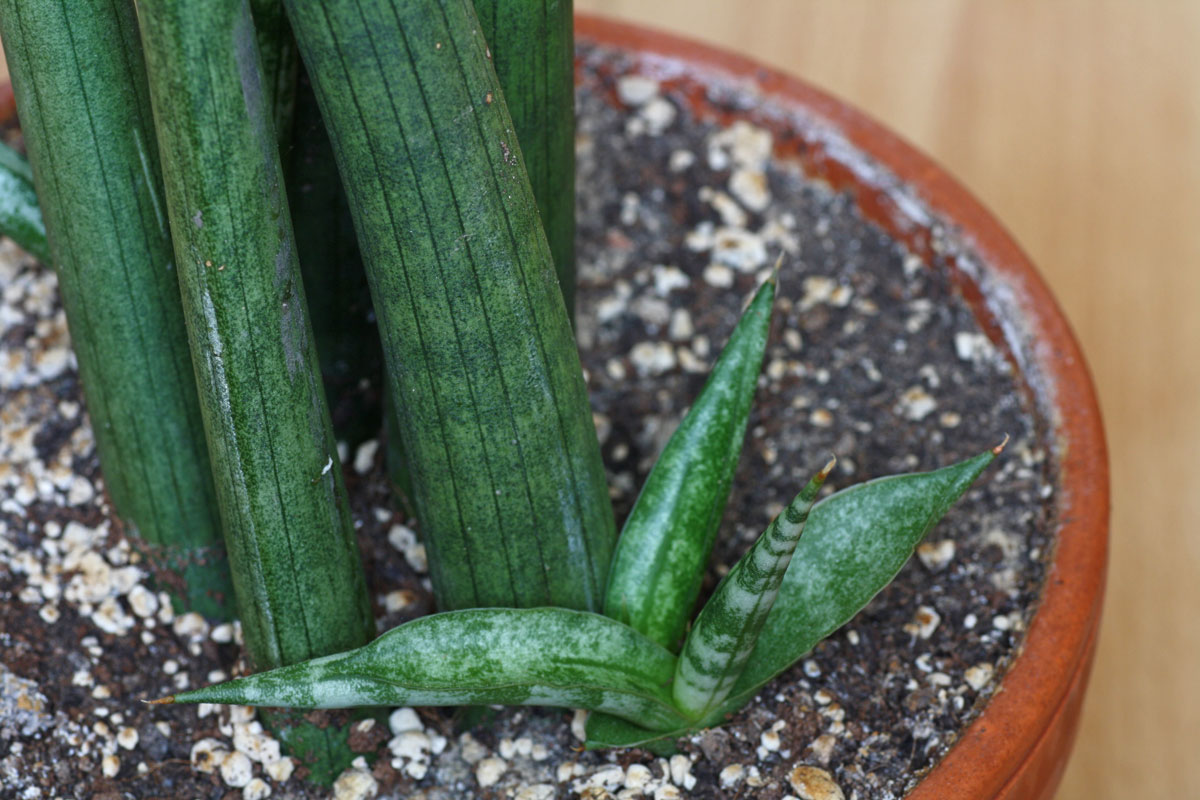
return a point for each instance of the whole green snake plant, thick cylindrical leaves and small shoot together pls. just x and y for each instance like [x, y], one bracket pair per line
[215, 236]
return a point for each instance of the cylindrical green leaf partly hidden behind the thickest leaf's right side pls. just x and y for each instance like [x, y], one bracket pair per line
[532, 44]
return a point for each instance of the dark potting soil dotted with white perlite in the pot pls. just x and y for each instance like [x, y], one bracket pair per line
[874, 357]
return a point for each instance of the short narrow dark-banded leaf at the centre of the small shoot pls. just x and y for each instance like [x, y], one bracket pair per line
[728, 629]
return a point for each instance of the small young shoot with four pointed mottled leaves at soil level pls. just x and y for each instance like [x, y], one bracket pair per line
[811, 572]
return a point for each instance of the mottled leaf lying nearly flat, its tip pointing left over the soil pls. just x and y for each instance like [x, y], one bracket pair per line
[536, 657]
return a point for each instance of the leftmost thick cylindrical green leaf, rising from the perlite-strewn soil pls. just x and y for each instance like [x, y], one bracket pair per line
[86, 113]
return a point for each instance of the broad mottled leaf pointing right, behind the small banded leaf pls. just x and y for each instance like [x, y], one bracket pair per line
[855, 543]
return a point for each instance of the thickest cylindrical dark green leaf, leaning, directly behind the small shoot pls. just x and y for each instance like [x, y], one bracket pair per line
[494, 413]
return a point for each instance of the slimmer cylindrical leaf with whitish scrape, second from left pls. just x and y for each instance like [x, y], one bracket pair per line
[301, 586]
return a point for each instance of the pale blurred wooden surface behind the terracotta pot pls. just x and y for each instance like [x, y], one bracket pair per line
[1078, 123]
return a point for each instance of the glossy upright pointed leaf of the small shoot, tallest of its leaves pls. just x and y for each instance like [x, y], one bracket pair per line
[669, 537]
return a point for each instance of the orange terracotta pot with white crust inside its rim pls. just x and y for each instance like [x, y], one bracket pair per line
[1018, 748]
